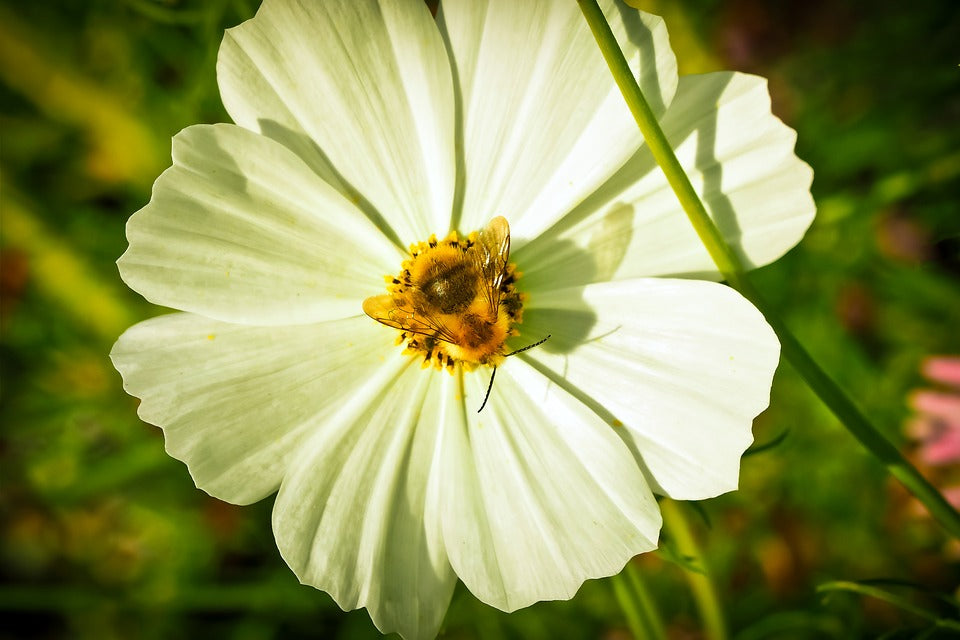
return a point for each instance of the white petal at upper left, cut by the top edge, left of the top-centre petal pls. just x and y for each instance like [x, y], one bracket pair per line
[362, 90]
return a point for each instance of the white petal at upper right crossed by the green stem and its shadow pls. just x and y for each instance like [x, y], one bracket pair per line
[740, 160]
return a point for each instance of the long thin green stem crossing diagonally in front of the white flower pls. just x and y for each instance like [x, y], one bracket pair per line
[733, 270]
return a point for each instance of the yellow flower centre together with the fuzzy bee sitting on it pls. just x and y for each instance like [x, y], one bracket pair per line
[454, 300]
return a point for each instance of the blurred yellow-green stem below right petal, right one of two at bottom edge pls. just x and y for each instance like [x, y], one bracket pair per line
[701, 584]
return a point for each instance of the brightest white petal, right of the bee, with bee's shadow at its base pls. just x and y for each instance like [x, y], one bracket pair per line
[684, 365]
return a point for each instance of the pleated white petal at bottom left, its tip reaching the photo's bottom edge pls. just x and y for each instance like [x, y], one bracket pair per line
[356, 515]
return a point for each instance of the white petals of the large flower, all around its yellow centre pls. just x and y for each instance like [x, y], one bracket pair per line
[363, 126]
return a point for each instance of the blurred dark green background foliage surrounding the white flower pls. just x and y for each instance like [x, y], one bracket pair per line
[104, 536]
